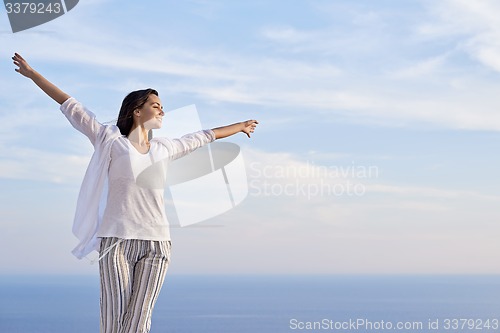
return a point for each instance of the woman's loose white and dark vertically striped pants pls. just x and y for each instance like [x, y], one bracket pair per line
[132, 274]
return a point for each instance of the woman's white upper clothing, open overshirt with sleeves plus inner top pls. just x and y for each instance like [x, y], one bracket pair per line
[134, 206]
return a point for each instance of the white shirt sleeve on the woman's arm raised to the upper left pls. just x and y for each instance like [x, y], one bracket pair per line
[81, 119]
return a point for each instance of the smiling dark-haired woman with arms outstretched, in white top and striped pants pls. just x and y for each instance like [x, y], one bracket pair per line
[132, 236]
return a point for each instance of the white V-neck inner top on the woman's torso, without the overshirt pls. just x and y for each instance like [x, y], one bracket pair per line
[135, 207]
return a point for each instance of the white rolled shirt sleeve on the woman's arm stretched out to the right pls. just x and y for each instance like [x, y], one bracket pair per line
[187, 143]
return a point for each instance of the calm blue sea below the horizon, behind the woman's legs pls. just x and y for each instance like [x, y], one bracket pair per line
[265, 304]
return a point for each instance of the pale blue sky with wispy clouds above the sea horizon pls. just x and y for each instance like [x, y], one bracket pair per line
[407, 87]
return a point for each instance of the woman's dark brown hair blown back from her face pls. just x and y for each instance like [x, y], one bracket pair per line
[133, 101]
